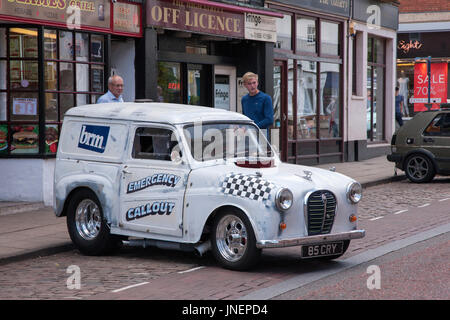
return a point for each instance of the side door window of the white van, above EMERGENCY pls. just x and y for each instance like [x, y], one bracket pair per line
[153, 143]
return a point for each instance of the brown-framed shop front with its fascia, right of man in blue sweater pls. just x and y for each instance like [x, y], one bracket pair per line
[308, 80]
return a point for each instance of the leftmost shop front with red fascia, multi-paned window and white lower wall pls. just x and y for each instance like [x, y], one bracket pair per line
[53, 56]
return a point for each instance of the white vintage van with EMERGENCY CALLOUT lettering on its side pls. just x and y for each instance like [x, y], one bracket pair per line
[195, 178]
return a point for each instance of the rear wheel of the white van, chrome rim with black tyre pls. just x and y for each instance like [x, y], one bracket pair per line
[87, 226]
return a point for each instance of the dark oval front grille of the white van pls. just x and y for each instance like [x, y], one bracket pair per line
[320, 212]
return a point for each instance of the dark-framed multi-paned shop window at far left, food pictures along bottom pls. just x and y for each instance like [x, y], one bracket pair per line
[68, 80]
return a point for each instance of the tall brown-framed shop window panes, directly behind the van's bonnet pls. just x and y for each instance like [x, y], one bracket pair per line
[311, 130]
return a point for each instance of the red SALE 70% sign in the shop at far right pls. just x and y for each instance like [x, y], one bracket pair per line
[438, 81]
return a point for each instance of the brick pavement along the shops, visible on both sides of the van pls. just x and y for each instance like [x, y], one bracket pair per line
[31, 229]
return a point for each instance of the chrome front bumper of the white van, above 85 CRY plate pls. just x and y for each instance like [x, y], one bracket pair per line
[355, 234]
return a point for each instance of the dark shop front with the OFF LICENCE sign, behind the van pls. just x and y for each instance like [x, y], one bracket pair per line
[194, 52]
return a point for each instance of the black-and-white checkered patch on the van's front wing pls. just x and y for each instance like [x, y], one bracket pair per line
[252, 187]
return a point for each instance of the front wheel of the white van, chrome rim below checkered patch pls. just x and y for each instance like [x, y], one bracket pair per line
[233, 241]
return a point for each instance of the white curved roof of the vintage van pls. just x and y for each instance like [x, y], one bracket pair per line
[155, 112]
